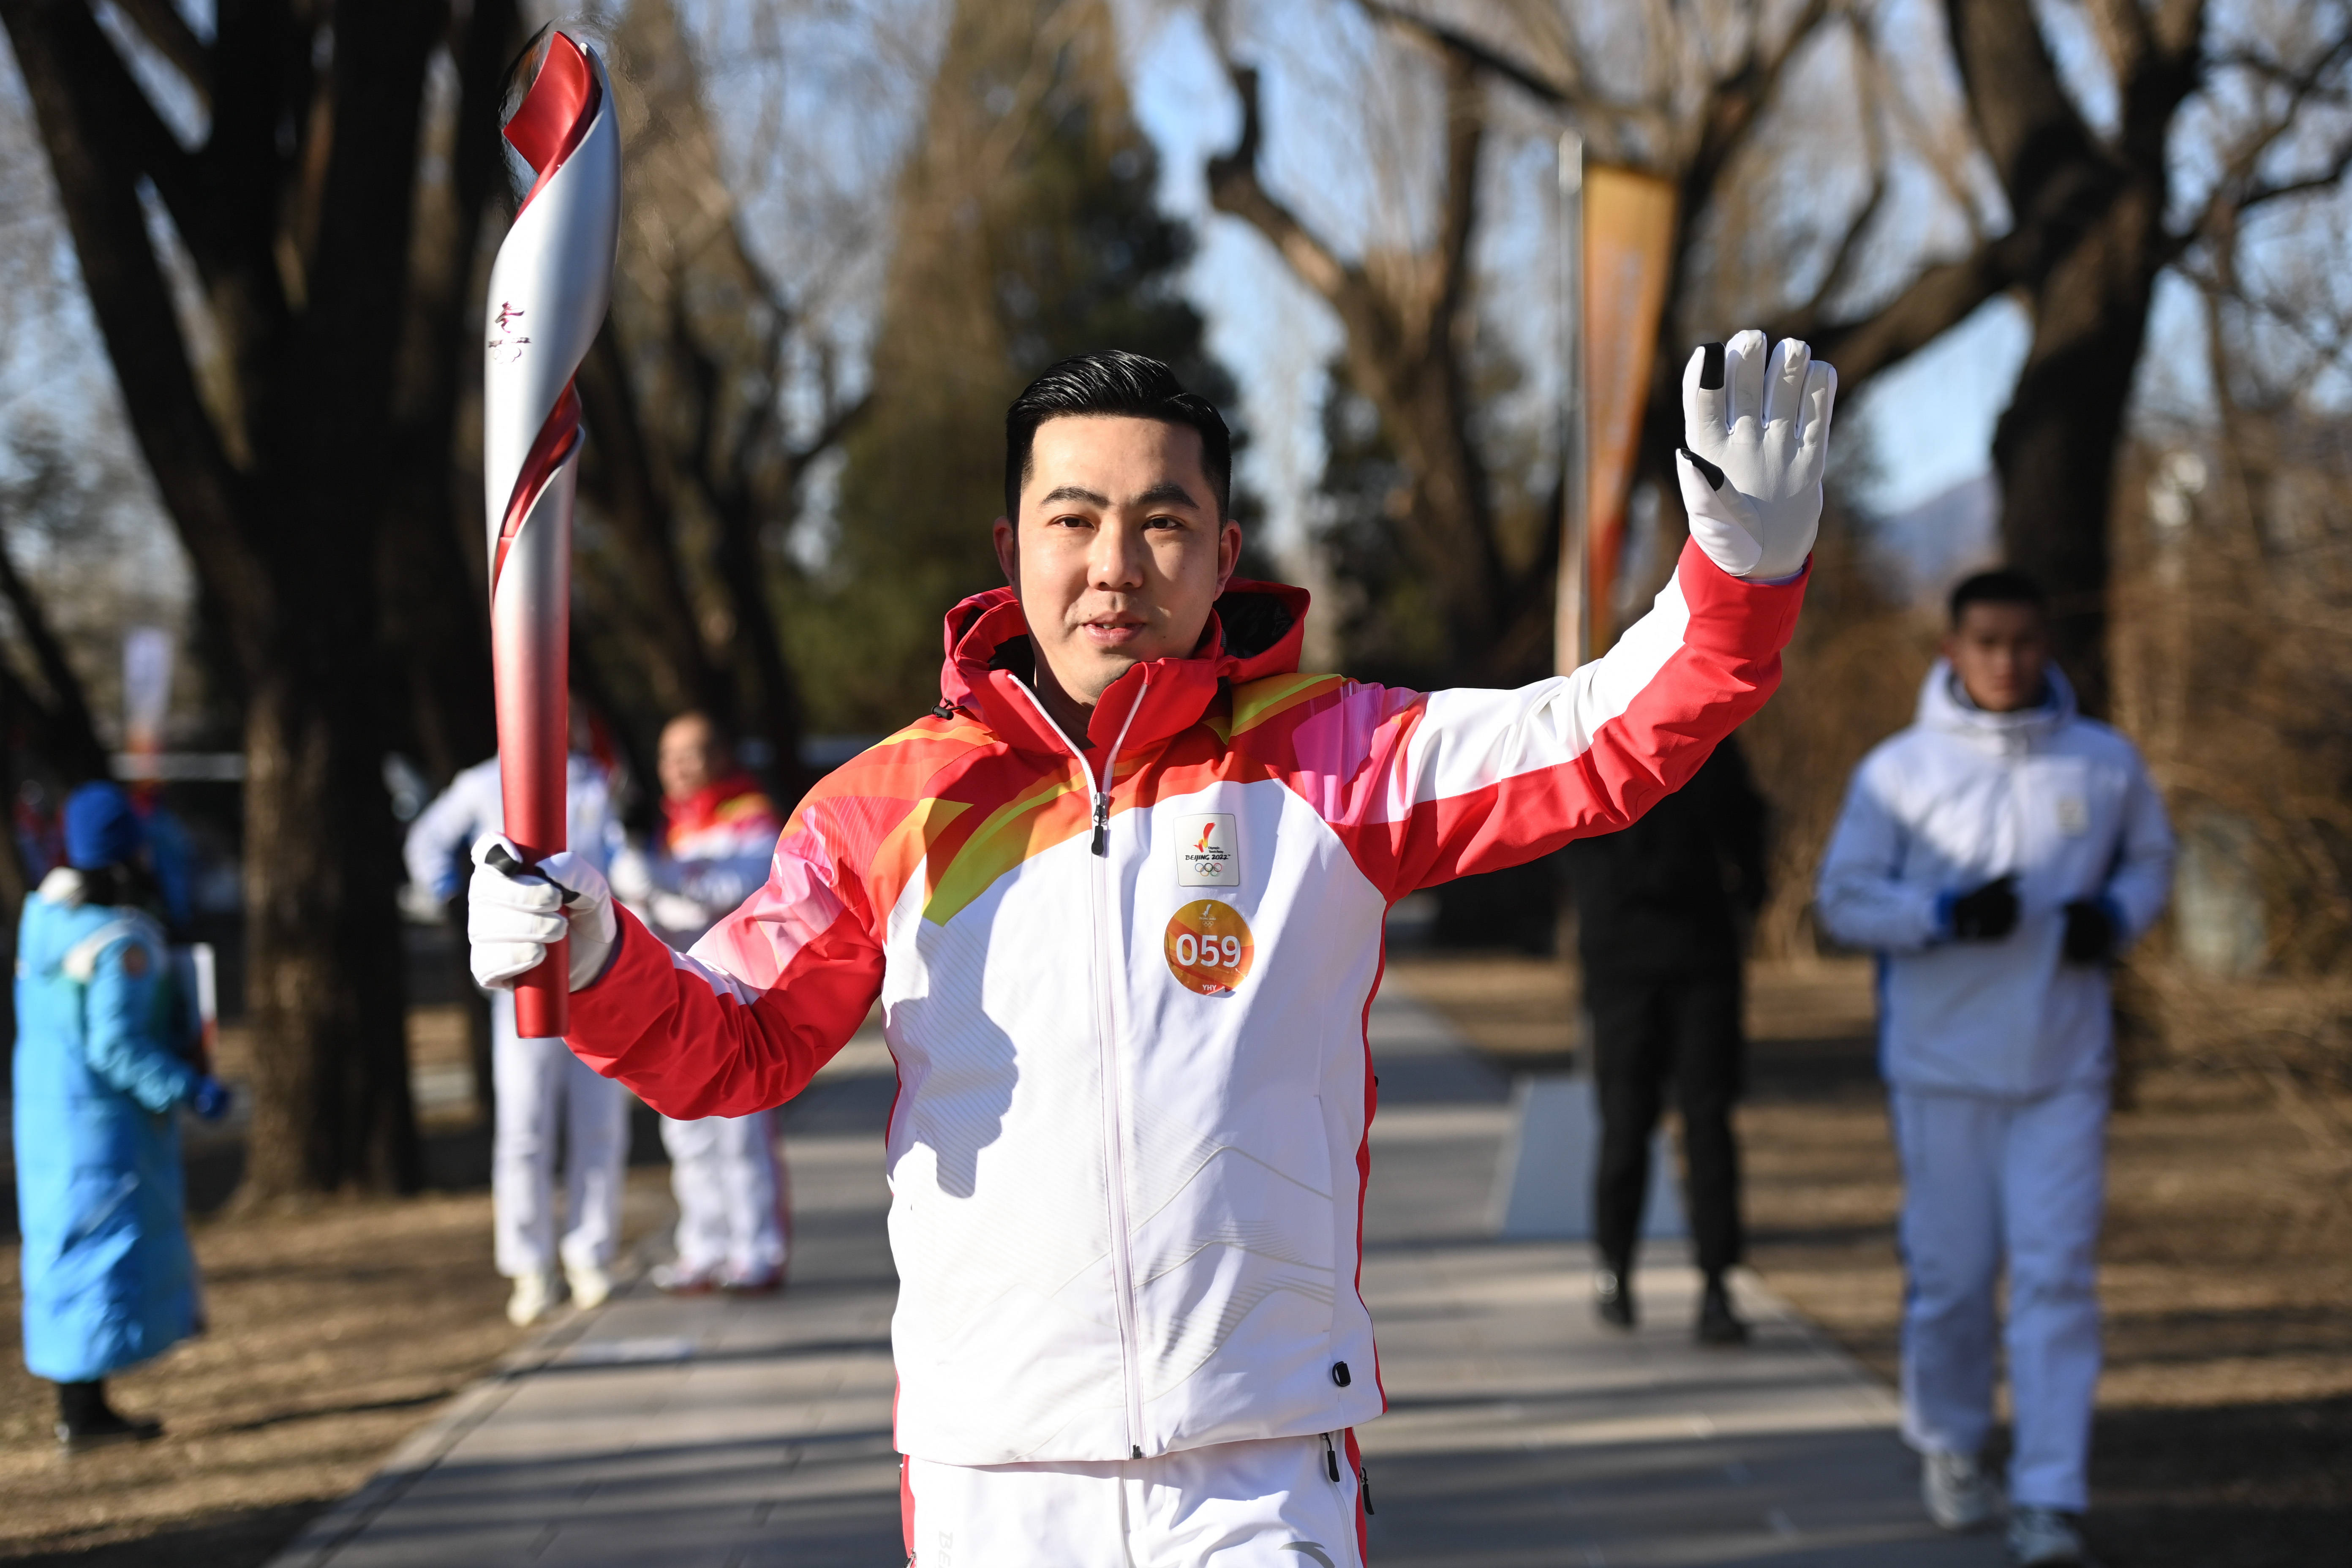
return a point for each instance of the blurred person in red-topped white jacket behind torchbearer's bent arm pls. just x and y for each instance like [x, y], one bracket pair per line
[719, 836]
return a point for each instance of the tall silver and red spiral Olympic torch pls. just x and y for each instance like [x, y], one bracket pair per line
[547, 297]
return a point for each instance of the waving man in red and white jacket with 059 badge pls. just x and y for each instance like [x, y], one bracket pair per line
[1121, 899]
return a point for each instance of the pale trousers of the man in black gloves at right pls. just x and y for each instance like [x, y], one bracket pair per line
[1989, 1184]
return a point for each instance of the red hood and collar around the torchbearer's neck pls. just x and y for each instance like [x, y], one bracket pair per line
[1255, 631]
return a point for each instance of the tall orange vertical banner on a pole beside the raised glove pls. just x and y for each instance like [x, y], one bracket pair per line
[1629, 234]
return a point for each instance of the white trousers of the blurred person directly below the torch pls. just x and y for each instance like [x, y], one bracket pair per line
[542, 1087]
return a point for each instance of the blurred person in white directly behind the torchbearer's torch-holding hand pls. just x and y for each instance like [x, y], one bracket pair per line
[540, 1085]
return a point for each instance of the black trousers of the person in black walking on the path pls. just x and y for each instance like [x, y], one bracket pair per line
[1650, 1031]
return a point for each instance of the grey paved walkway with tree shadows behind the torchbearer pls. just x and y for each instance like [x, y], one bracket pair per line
[728, 1435]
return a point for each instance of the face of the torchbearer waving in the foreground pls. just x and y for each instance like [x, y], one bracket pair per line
[1118, 551]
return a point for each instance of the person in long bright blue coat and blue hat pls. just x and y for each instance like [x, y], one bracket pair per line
[105, 1059]
